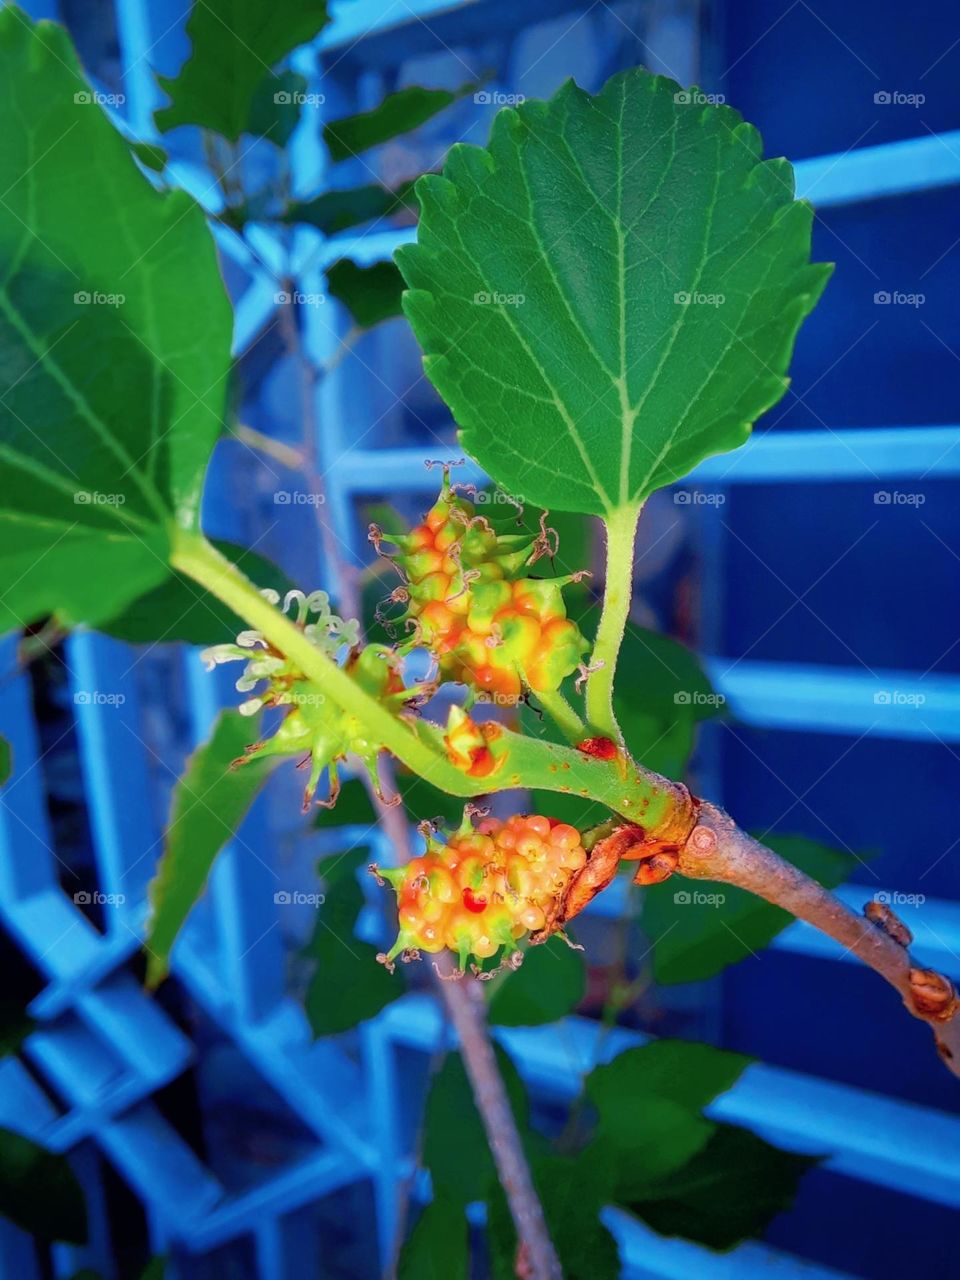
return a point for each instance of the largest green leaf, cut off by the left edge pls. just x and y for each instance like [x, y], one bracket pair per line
[109, 408]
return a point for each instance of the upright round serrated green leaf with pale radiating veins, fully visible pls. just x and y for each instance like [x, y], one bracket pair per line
[543, 290]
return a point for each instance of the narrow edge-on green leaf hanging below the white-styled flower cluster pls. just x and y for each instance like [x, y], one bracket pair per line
[209, 804]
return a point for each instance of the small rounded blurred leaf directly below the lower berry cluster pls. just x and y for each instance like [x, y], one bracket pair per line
[550, 985]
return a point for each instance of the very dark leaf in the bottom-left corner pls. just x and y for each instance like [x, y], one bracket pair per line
[39, 1191]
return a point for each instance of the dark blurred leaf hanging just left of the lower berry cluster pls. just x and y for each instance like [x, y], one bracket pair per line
[349, 985]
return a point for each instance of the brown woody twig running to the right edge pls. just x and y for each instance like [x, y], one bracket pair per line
[719, 851]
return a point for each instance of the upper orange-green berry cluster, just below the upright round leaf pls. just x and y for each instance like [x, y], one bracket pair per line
[490, 627]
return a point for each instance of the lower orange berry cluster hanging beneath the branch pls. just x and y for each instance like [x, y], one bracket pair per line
[484, 889]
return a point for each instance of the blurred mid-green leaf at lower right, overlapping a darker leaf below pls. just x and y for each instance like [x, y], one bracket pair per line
[650, 1107]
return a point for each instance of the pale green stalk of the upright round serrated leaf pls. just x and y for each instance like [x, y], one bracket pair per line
[619, 589]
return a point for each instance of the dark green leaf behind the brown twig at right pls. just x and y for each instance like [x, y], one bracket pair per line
[698, 929]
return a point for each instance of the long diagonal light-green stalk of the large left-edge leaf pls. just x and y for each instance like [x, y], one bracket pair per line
[195, 557]
